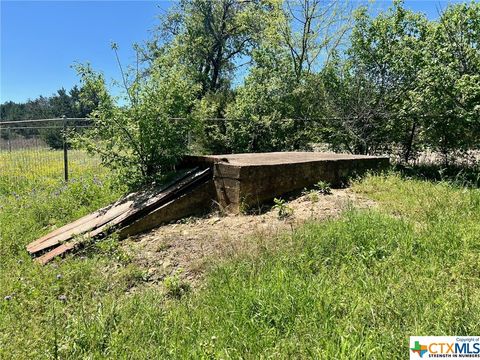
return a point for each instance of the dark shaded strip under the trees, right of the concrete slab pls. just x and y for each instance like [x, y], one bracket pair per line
[458, 175]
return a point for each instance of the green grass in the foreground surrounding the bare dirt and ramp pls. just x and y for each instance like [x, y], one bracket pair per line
[351, 288]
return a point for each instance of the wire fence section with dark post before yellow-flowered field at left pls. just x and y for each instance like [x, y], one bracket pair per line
[31, 149]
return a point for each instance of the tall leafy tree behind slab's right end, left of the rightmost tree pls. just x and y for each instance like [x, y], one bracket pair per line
[375, 96]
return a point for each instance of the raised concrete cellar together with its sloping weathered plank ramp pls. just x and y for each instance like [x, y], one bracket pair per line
[237, 181]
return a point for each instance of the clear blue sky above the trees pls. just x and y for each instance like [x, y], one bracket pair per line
[40, 40]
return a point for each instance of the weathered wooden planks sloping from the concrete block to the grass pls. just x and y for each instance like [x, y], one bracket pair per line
[115, 216]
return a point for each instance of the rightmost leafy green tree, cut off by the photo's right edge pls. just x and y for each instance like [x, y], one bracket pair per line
[449, 84]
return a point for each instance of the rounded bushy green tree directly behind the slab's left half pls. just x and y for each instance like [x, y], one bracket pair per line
[263, 105]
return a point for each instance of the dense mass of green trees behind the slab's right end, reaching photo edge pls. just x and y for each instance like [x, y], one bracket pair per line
[409, 83]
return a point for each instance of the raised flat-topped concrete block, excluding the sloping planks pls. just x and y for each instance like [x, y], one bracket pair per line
[250, 179]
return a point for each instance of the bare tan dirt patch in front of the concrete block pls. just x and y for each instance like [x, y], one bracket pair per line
[189, 246]
